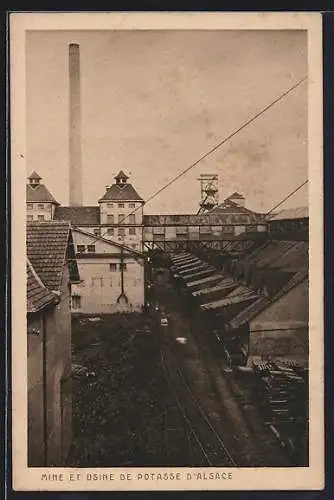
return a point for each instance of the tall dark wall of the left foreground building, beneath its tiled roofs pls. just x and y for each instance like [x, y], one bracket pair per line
[49, 389]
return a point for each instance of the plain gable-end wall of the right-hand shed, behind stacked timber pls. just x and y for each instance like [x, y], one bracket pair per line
[282, 328]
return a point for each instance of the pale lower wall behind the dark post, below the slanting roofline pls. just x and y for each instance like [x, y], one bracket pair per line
[101, 285]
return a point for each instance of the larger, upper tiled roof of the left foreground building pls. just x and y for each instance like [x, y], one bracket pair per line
[47, 246]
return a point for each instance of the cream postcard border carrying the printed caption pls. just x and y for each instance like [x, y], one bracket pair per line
[30, 479]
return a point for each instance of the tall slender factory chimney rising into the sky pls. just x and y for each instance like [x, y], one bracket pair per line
[76, 188]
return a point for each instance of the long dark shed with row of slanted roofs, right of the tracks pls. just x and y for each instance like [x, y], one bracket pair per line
[256, 298]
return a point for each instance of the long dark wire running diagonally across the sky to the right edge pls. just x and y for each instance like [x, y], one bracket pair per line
[212, 150]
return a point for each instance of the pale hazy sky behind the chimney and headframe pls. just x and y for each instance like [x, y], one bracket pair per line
[153, 102]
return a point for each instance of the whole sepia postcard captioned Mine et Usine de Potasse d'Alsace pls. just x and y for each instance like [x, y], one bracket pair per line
[167, 251]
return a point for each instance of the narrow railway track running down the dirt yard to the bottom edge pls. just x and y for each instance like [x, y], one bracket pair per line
[210, 444]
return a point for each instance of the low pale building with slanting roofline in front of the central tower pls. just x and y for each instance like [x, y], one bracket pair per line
[112, 276]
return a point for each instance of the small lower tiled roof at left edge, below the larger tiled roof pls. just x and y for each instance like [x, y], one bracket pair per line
[38, 296]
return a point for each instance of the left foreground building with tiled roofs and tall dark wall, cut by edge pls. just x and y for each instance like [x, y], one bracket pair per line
[51, 272]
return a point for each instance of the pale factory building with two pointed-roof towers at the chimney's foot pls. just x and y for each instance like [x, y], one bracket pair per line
[108, 242]
